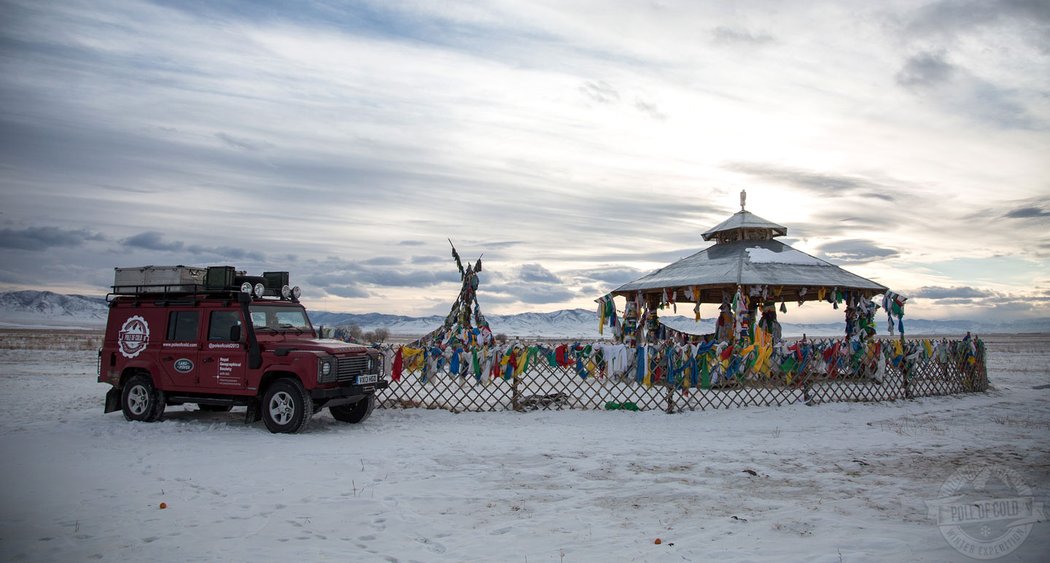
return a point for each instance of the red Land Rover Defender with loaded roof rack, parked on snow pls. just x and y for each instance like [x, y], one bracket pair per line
[219, 339]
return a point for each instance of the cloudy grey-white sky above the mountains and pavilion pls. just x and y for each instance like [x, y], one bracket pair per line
[577, 145]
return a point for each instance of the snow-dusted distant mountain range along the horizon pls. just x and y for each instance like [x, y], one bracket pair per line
[45, 309]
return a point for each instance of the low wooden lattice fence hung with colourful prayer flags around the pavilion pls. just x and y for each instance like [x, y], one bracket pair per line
[521, 377]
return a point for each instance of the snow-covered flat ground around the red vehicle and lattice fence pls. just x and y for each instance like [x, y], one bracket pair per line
[833, 483]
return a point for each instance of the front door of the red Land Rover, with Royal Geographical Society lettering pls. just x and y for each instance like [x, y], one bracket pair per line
[224, 358]
